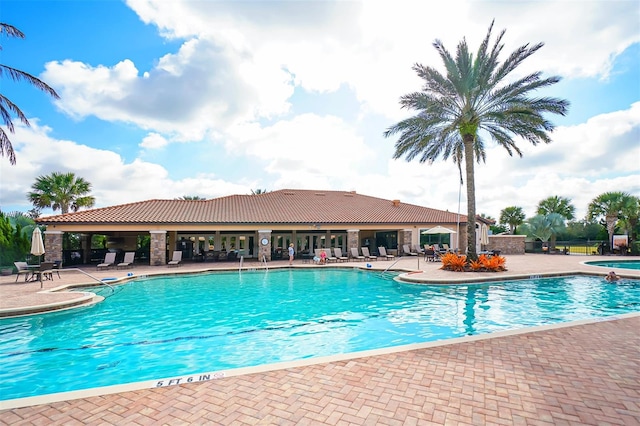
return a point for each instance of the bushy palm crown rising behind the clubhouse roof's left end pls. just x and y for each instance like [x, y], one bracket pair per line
[61, 191]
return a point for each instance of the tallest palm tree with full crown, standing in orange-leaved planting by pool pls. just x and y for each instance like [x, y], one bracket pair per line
[474, 97]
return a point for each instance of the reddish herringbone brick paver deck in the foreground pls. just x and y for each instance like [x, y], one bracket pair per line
[583, 374]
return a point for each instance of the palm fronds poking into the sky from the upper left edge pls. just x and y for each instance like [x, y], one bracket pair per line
[6, 106]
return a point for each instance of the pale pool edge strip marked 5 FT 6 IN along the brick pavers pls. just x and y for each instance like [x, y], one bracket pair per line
[220, 375]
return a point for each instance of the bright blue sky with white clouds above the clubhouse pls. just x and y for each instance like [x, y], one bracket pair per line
[161, 99]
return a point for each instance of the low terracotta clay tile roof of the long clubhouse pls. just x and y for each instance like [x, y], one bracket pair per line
[283, 206]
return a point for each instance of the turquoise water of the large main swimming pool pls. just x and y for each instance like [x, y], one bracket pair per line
[176, 326]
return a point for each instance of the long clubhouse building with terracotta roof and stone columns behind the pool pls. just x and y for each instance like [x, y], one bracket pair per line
[259, 226]
